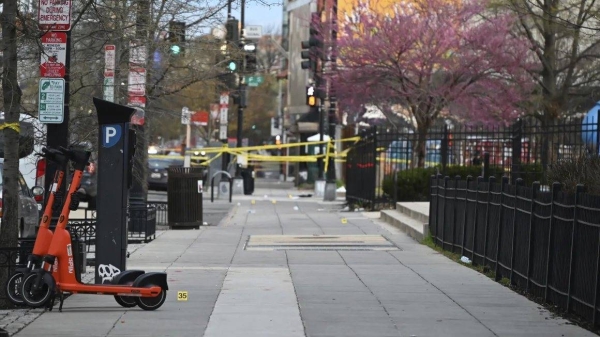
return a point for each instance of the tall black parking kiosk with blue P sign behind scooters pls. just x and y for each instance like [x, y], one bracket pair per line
[116, 147]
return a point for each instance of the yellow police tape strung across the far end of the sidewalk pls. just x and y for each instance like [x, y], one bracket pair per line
[204, 156]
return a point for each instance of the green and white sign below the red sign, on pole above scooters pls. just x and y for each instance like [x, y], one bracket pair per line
[52, 100]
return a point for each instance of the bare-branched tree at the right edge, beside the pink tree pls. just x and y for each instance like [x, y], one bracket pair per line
[564, 37]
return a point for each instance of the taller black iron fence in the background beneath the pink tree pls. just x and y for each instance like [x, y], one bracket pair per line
[523, 150]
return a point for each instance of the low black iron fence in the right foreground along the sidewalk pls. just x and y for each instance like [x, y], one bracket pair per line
[544, 241]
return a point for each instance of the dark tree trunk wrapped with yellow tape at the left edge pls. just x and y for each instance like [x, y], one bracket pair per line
[12, 103]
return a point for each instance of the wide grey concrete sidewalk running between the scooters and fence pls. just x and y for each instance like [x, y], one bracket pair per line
[332, 276]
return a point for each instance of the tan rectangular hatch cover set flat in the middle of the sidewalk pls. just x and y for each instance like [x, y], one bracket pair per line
[319, 242]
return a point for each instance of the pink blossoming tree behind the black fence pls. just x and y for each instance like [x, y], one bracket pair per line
[431, 57]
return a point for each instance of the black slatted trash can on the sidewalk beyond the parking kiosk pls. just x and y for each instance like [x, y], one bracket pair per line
[184, 197]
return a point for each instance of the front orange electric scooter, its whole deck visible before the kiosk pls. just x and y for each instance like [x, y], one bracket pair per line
[57, 274]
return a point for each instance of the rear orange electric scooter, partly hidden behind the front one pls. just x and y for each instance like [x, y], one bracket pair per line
[44, 234]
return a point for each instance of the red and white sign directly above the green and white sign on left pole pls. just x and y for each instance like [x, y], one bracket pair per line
[54, 55]
